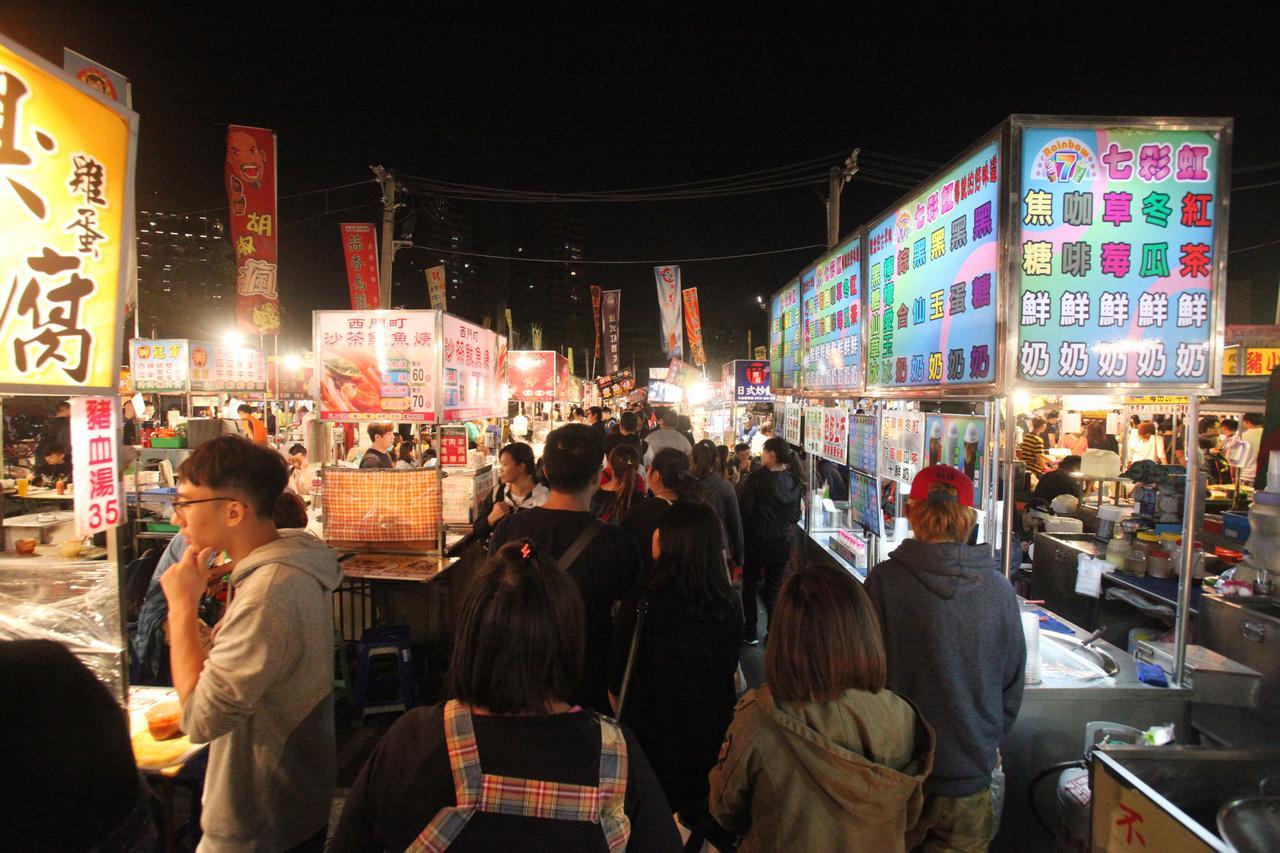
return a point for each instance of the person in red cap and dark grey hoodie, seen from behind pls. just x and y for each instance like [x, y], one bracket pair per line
[954, 647]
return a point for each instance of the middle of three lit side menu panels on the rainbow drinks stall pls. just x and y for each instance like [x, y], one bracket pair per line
[833, 331]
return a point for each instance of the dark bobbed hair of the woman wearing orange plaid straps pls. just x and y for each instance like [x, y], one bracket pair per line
[519, 644]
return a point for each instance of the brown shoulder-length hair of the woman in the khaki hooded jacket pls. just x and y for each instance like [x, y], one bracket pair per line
[825, 638]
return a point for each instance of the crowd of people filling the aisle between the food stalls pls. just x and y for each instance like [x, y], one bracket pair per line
[595, 697]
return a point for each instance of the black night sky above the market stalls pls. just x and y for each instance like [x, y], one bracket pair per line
[592, 102]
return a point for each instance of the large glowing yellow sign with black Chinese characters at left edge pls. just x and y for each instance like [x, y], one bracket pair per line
[66, 207]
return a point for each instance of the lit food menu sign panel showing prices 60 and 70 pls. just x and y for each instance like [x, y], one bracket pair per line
[376, 366]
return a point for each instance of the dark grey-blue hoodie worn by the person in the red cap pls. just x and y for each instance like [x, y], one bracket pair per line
[954, 645]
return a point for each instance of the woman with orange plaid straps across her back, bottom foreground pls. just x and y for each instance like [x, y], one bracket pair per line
[460, 776]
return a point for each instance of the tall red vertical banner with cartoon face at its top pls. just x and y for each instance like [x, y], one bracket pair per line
[252, 167]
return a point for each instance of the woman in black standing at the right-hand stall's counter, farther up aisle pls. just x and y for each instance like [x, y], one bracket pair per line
[771, 507]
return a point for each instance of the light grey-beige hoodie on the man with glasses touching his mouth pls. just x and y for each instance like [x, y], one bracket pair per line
[263, 703]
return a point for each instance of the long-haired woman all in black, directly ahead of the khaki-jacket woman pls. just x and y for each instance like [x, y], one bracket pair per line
[682, 695]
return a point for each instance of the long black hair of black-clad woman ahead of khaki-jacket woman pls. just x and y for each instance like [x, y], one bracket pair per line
[692, 560]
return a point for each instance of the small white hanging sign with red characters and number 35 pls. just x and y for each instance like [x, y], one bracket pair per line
[95, 472]
